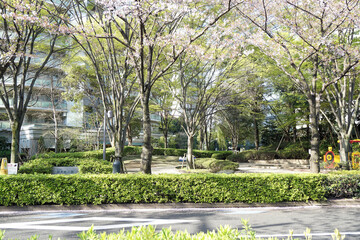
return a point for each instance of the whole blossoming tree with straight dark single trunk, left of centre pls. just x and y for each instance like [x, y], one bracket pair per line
[161, 32]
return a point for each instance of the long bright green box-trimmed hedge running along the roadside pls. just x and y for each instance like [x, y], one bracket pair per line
[139, 188]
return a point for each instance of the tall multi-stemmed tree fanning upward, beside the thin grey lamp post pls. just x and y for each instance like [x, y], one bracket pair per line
[98, 40]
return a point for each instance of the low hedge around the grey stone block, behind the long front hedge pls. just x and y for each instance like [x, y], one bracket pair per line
[45, 165]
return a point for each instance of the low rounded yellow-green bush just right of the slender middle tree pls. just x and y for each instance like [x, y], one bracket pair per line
[215, 165]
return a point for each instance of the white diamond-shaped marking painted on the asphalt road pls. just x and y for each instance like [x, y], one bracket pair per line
[129, 222]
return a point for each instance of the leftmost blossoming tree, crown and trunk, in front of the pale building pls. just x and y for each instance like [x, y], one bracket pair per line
[30, 34]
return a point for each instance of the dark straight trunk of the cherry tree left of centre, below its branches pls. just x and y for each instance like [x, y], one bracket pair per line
[146, 154]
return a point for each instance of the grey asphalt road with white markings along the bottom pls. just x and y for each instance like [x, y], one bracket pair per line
[266, 221]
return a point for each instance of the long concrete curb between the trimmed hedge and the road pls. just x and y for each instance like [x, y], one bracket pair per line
[114, 207]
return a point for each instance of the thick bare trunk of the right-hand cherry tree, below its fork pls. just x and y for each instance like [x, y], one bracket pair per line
[315, 138]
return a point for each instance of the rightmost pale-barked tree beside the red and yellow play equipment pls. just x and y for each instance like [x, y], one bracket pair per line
[343, 96]
